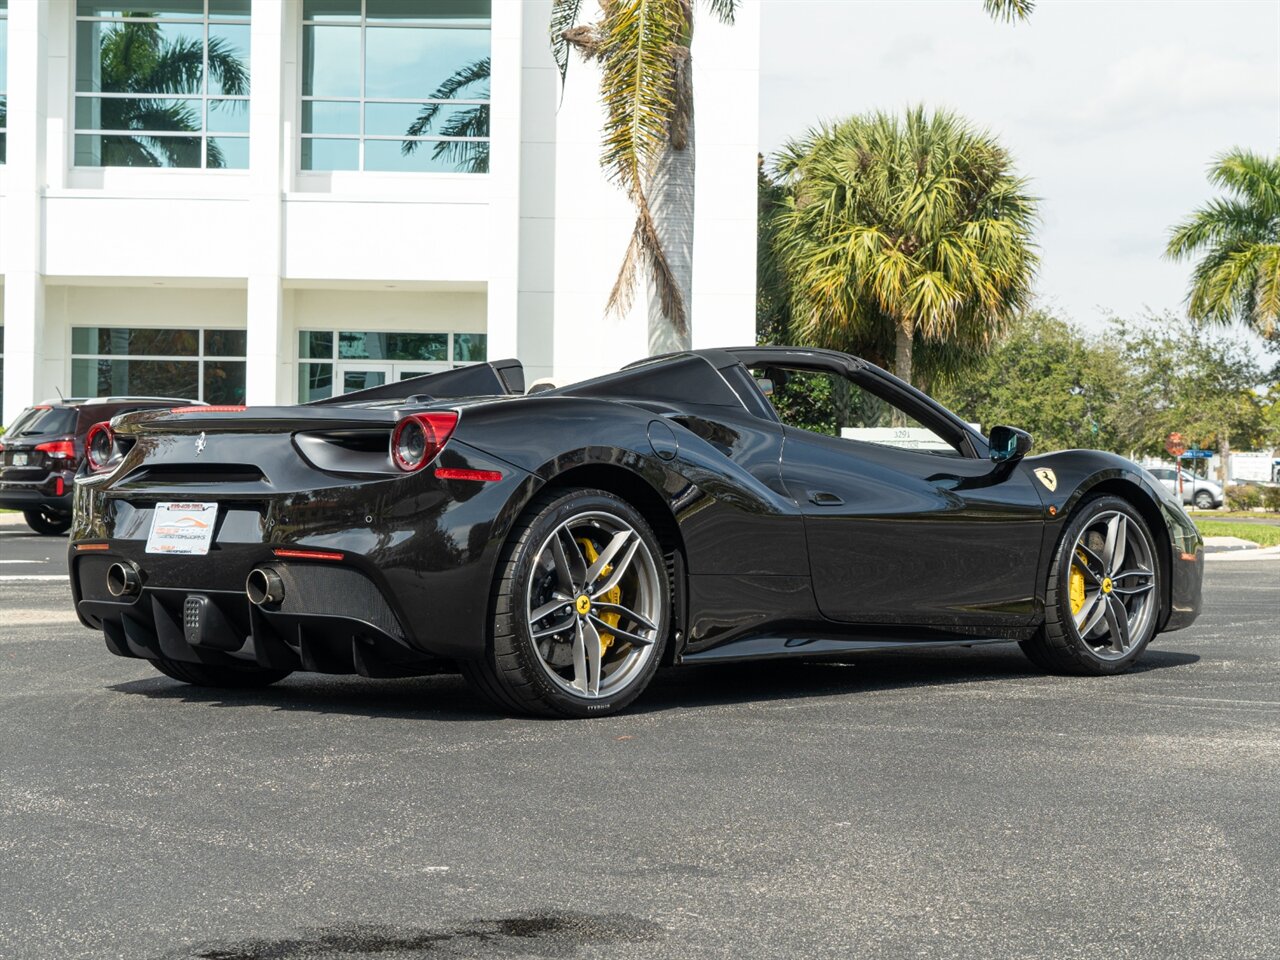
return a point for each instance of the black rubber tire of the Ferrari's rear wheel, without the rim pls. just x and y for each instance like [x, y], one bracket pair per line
[511, 674]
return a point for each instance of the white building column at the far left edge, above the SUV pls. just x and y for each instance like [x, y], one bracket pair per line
[24, 211]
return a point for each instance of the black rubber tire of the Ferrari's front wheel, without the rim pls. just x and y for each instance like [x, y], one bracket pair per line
[1058, 647]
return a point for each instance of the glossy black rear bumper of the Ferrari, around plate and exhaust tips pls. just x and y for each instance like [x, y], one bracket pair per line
[408, 591]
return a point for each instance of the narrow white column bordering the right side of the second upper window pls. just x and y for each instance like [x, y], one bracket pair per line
[502, 296]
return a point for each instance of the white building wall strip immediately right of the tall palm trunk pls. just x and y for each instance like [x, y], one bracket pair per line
[728, 102]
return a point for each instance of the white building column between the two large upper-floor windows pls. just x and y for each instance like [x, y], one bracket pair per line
[266, 216]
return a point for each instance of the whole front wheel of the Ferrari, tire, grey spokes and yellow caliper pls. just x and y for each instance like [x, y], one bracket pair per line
[1104, 593]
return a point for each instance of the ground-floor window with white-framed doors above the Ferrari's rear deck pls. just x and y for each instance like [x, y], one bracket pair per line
[335, 363]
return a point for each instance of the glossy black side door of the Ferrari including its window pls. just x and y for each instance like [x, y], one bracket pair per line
[906, 524]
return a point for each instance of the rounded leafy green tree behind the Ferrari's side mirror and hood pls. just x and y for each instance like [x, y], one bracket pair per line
[1050, 380]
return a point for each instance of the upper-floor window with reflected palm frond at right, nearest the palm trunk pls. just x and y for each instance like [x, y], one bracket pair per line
[395, 85]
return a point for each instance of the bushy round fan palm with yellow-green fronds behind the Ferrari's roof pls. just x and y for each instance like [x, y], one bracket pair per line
[915, 230]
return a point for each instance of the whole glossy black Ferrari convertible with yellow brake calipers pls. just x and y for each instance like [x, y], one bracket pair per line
[559, 547]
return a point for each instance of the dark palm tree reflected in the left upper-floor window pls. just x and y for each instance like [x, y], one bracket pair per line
[138, 60]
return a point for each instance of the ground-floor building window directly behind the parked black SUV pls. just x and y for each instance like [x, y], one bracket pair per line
[124, 362]
